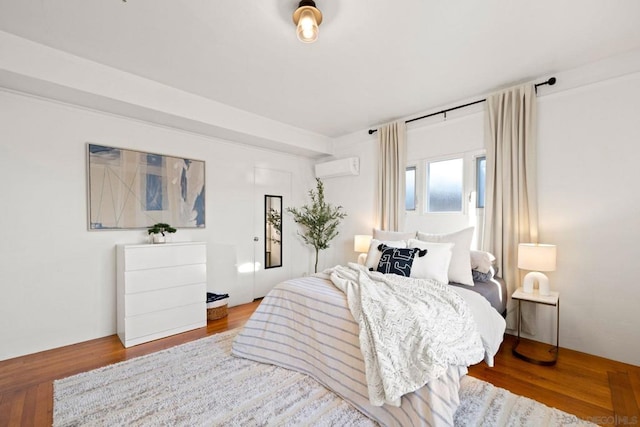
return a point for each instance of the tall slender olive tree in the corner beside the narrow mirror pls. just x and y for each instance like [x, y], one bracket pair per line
[319, 220]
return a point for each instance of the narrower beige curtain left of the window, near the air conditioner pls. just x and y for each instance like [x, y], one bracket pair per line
[392, 160]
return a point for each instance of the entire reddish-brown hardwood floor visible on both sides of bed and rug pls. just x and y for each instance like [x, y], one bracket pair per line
[593, 388]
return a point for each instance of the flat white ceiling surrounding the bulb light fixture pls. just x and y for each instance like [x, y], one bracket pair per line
[374, 61]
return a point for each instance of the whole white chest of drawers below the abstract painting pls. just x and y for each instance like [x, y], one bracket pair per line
[161, 290]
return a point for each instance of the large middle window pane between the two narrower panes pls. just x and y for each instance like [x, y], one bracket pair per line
[444, 186]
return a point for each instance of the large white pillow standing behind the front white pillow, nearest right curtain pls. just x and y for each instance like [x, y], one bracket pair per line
[460, 266]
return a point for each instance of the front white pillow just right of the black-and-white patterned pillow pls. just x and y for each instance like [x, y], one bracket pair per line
[435, 264]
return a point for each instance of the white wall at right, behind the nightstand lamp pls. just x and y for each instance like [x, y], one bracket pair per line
[588, 206]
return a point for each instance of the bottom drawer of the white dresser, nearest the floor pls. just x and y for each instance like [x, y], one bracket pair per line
[165, 321]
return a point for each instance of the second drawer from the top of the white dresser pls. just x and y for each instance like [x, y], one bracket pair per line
[166, 277]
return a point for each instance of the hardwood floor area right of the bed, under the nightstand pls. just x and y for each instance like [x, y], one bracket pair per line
[579, 383]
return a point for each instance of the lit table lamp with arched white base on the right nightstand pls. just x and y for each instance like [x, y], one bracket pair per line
[536, 257]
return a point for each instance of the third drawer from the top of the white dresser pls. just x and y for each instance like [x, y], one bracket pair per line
[164, 299]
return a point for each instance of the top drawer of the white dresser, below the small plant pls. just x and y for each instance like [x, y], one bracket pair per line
[157, 256]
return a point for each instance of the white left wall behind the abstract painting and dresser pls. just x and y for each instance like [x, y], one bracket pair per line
[57, 279]
